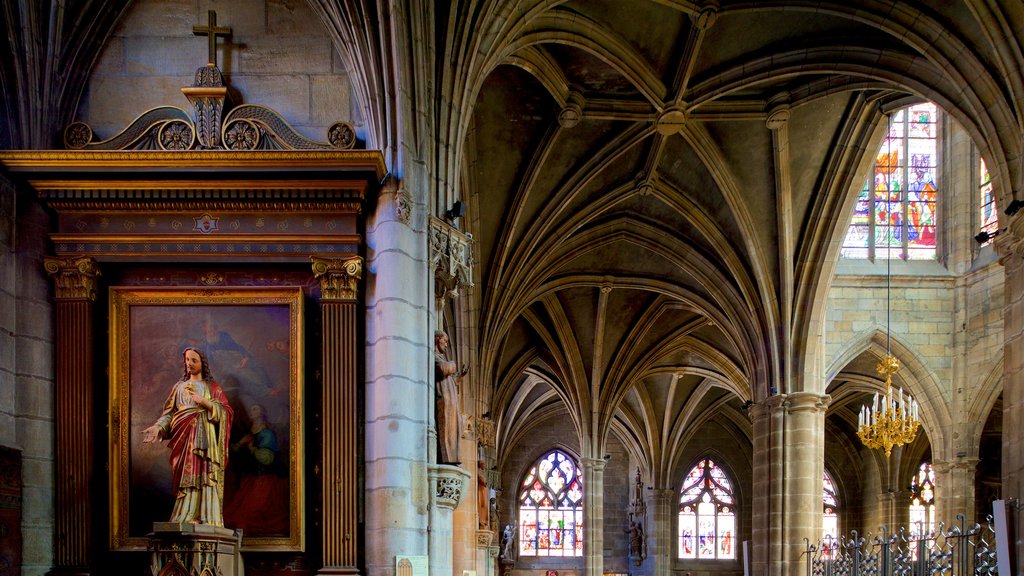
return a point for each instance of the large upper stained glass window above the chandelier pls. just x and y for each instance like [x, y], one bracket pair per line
[895, 214]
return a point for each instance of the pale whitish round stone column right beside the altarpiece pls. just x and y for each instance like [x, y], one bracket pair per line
[399, 381]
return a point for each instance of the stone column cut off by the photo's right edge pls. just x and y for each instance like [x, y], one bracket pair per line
[1011, 248]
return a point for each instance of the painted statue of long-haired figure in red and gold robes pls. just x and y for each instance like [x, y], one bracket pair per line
[197, 423]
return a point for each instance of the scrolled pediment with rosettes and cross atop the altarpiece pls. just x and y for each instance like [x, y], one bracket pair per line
[215, 125]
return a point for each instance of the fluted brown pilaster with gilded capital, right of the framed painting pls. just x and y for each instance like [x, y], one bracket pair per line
[339, 507]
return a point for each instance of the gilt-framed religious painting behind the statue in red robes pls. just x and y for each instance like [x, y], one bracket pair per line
[252, 341]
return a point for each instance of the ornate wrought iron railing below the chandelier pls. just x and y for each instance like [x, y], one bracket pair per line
[961, 551]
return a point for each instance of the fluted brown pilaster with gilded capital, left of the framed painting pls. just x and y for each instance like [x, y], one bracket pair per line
[75, 289]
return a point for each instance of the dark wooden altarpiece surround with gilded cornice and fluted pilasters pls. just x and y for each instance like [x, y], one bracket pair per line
[199, 224]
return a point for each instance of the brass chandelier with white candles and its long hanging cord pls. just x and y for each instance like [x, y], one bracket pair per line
[890, 421]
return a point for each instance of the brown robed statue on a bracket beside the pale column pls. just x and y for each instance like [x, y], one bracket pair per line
[448, 414]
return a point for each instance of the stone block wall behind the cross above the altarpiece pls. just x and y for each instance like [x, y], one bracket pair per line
[274, 58]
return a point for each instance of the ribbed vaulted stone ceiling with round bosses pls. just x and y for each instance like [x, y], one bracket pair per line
[658, 189]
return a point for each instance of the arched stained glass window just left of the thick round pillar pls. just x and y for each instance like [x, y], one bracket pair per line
[707, 515]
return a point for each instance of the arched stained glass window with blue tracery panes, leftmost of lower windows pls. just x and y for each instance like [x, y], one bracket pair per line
[551, 508]
